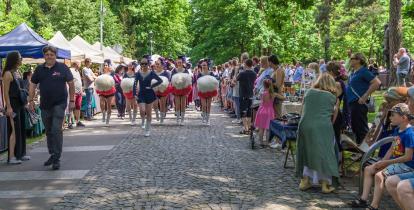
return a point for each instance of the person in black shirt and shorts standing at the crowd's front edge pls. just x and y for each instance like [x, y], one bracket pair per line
[246, 79]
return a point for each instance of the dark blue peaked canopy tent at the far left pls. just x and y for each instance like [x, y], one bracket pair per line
[28, 43]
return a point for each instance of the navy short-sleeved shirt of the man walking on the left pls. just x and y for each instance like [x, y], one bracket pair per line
[52, 84]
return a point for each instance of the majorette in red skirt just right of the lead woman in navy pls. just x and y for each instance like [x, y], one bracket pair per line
[160, 105]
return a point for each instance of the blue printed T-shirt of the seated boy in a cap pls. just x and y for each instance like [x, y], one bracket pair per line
[403, 140]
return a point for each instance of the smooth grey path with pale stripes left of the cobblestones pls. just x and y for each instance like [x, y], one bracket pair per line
[33, 186]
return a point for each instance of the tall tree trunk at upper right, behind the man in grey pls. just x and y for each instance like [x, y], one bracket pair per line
[395, 28]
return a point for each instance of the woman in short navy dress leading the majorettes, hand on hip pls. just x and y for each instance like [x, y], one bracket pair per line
[146, 95]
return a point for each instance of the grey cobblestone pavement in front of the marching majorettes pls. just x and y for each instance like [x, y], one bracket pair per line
[196, 167]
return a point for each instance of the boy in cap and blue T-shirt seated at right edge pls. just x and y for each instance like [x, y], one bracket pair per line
[398, 160]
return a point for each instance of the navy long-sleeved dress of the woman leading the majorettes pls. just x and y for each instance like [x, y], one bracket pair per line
[146, 93]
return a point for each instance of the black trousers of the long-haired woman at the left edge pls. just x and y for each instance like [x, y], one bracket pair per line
[20, 132]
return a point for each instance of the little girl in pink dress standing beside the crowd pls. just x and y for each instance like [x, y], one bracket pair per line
[265, 113]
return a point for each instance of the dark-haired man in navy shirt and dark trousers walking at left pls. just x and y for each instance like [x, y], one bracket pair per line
[52, 78]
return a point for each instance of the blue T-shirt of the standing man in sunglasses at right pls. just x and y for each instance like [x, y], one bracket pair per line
[360, 82]
